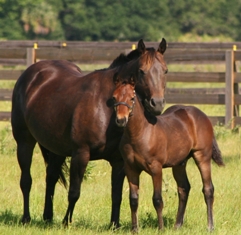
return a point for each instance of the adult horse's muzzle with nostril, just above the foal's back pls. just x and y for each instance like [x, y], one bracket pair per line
[155, 106]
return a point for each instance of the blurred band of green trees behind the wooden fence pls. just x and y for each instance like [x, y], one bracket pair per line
[120, 20]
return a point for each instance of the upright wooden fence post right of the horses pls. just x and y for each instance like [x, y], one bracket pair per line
[229, 91]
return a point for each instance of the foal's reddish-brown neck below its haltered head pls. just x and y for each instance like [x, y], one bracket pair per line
[137, 123]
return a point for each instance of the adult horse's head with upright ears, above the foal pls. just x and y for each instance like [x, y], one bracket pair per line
[149, 70]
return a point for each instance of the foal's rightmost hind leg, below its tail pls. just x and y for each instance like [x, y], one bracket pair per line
[204, 165]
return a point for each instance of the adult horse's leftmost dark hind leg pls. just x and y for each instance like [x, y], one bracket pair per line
[25, 148]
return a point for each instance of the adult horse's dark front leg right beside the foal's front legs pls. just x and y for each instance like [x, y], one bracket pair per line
[117, 179]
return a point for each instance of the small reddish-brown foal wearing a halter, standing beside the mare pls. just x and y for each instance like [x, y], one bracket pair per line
[151, 143]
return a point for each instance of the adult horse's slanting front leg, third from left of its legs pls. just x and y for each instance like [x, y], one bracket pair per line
[78, 165]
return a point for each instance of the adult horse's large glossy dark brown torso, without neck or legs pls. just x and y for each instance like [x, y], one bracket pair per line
[54, 103]
